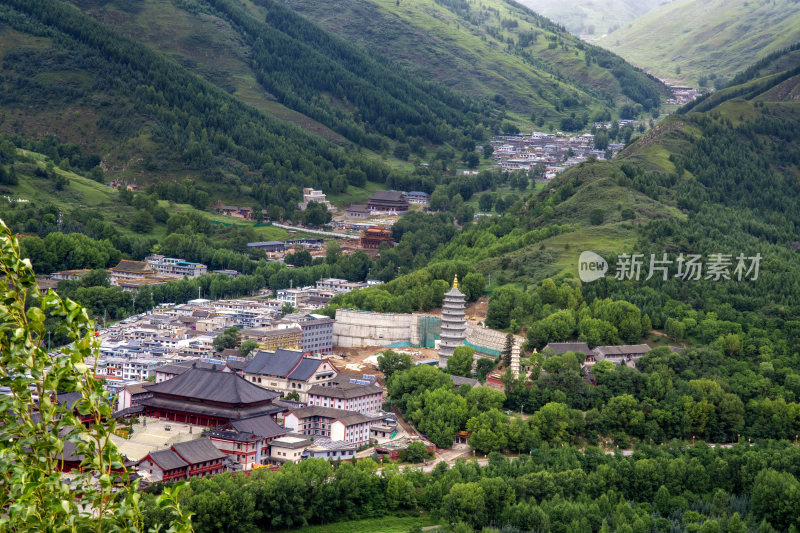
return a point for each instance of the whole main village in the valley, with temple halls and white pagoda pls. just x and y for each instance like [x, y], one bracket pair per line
[208, 387]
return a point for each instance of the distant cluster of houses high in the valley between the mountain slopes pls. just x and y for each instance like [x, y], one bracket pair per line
[556, 152]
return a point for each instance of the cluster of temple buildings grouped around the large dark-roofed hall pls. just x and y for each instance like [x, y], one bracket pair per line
[276, 407]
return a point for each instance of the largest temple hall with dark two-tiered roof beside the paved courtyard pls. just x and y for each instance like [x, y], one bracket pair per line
[209, 398]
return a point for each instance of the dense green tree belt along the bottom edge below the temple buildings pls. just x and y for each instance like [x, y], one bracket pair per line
[663, 489]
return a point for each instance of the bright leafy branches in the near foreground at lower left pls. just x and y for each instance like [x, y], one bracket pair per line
[38, 430]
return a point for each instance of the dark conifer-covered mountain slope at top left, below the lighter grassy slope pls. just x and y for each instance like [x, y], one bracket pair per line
[361, 97]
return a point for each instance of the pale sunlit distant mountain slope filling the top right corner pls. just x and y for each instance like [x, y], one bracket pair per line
[706, 38]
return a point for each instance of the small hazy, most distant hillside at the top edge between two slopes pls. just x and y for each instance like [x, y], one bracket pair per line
[592, 17]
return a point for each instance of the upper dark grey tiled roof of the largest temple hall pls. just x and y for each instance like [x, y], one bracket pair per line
[223, 387]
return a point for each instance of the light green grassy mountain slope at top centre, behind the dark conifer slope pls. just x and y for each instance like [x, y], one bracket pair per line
[491, 49]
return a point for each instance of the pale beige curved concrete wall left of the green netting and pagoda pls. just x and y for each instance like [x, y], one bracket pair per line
[358, 329]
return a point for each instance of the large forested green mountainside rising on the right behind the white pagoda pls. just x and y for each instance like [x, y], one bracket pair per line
[723, 181]
